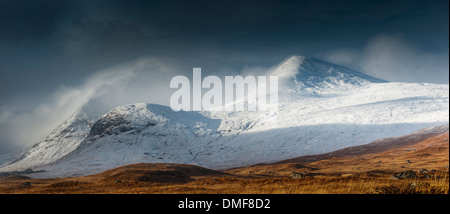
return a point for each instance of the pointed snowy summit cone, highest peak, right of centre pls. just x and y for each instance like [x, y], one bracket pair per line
[308, 75]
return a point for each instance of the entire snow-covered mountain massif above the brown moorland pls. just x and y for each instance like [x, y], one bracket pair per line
[322, 107]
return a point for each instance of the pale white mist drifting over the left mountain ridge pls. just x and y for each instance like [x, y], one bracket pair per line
[139, 81]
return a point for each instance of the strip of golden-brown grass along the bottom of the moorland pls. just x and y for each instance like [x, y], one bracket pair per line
[342, 184]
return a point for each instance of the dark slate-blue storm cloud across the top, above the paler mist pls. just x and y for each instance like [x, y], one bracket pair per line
[88, 35]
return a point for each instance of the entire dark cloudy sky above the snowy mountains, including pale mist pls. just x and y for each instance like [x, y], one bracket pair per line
[48, 47]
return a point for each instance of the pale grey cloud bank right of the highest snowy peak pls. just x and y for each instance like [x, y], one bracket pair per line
[392, 58]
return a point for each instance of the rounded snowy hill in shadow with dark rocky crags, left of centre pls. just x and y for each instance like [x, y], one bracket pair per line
[140, 133]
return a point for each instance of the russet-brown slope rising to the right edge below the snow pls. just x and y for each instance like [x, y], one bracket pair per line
[424, 149]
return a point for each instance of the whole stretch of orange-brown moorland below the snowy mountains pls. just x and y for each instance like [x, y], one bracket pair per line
[407, 168]
